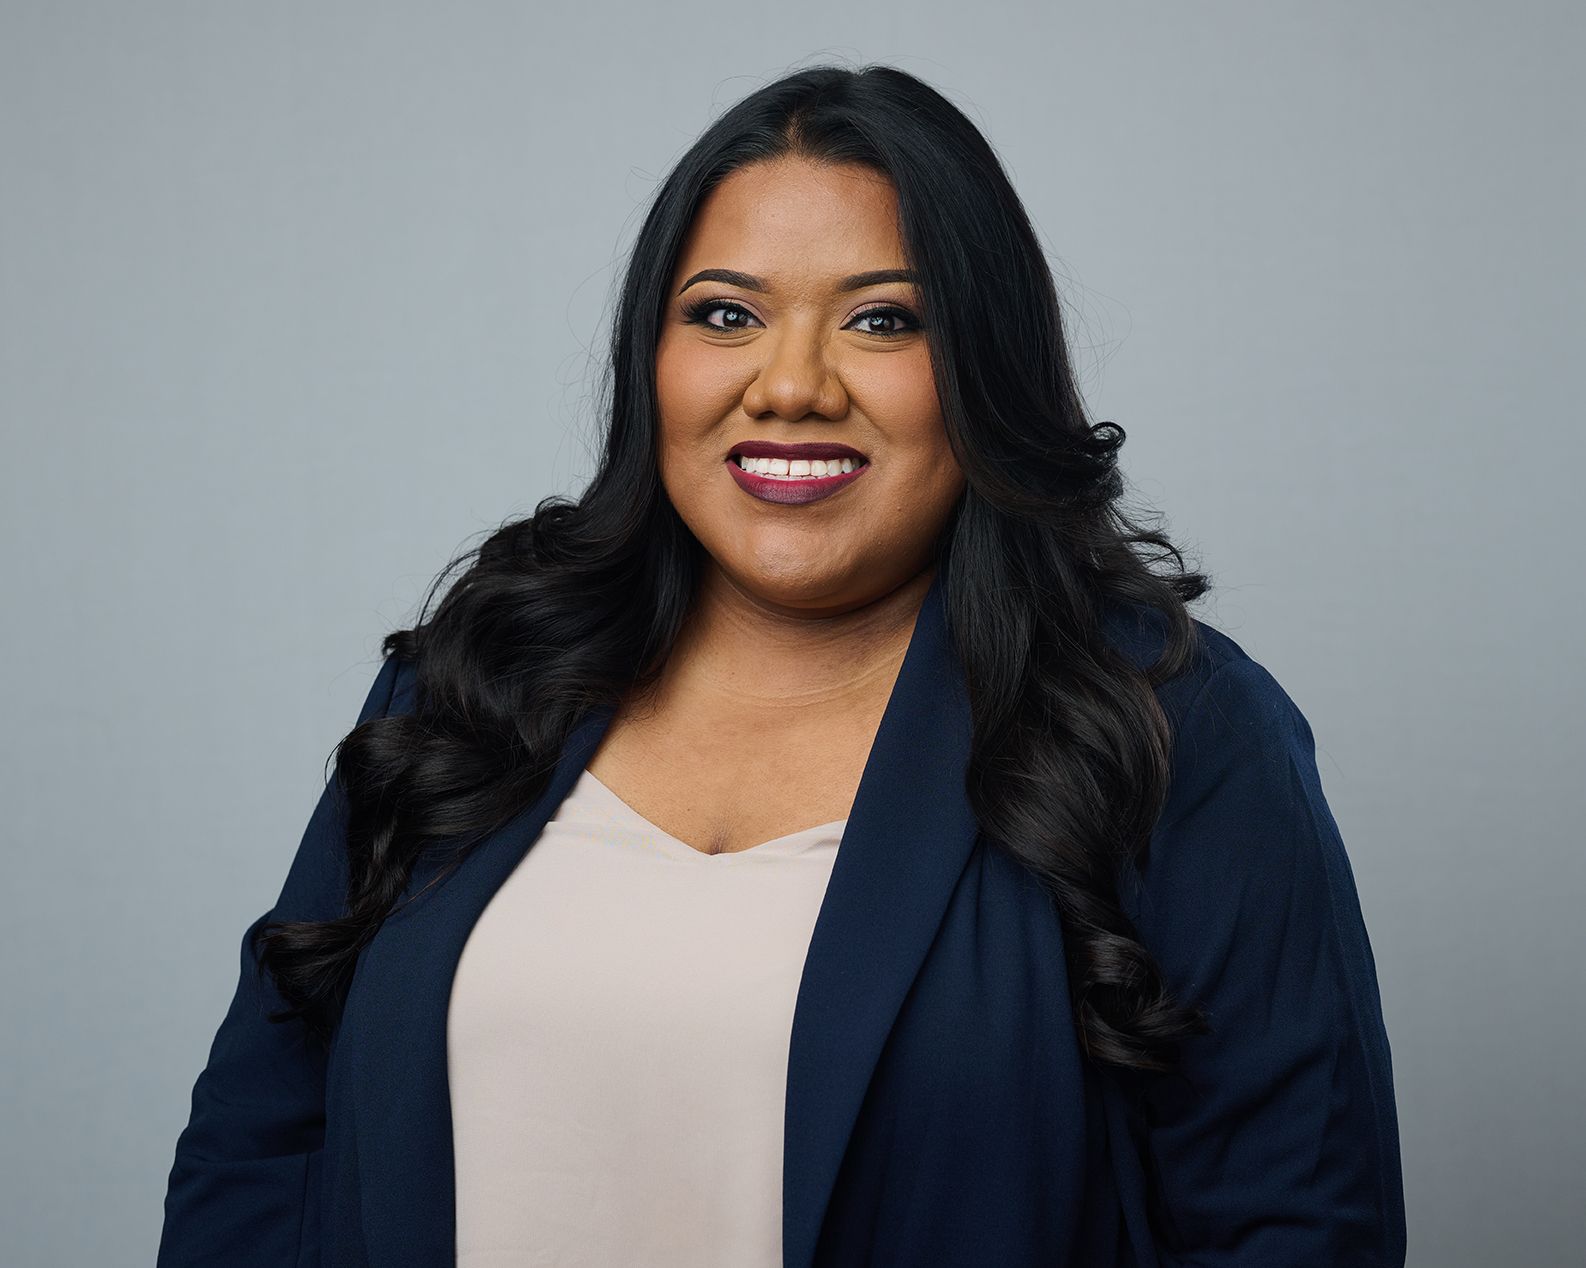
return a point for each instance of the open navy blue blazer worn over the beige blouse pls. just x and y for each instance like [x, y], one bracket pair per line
[938, 1105]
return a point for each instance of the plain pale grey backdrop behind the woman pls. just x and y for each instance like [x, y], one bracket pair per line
[296, 301]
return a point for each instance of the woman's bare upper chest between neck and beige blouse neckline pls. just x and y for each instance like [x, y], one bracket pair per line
[726, 783]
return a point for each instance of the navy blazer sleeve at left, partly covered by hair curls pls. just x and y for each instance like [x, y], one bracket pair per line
[243, 1185]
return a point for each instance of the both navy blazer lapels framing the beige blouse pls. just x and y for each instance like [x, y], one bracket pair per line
[908, 839]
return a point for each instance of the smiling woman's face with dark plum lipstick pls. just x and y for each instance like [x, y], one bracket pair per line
[765, 342]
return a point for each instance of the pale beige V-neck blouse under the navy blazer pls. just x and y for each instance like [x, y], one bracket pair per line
[618, 1043]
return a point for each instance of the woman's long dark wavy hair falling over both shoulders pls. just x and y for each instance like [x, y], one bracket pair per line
[581, 602]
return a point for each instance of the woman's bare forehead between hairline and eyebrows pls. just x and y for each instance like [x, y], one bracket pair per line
[795, 223]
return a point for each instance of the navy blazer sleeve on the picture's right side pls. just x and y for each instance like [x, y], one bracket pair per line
[1278, 1142]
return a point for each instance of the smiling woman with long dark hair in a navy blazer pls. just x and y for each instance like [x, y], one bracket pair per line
[827, 842]
